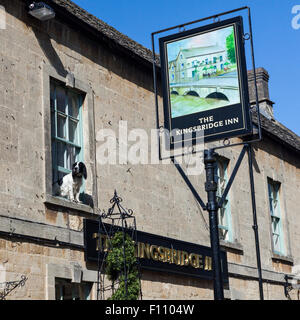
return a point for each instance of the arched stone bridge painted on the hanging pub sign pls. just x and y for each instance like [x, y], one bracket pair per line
[221, 87]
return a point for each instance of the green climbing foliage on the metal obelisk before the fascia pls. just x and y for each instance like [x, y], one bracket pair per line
[115, 267]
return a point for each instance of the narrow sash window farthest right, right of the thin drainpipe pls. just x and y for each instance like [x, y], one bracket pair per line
[277, 236]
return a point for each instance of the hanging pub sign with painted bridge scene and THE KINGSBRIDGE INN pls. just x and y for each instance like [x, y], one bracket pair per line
[204, 79]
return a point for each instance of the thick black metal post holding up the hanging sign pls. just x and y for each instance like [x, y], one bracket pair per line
[212, 207]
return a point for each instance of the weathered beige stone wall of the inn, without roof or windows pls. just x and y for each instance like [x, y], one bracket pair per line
[121, 90]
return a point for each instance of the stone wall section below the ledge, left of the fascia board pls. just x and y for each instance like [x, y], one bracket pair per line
[30, 259]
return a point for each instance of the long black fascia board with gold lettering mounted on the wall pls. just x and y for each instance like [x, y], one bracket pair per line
[155, 252]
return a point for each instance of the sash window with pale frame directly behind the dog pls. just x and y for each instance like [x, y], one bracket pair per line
[66, 129]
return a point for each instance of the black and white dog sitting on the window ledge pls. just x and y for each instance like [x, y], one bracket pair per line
[69, 186]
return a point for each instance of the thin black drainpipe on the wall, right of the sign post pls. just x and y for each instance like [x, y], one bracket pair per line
[255, 227]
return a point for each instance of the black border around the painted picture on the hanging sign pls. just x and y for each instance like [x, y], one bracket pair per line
[242, 69]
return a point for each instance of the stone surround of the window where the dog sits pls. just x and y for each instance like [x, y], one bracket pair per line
[83, 86]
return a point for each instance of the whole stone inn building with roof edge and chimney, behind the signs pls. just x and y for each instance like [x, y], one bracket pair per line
[41, 236]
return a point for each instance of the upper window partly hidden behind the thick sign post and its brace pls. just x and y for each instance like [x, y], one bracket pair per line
[224, 217]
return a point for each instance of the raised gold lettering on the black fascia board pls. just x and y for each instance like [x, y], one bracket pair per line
[160, 253]
